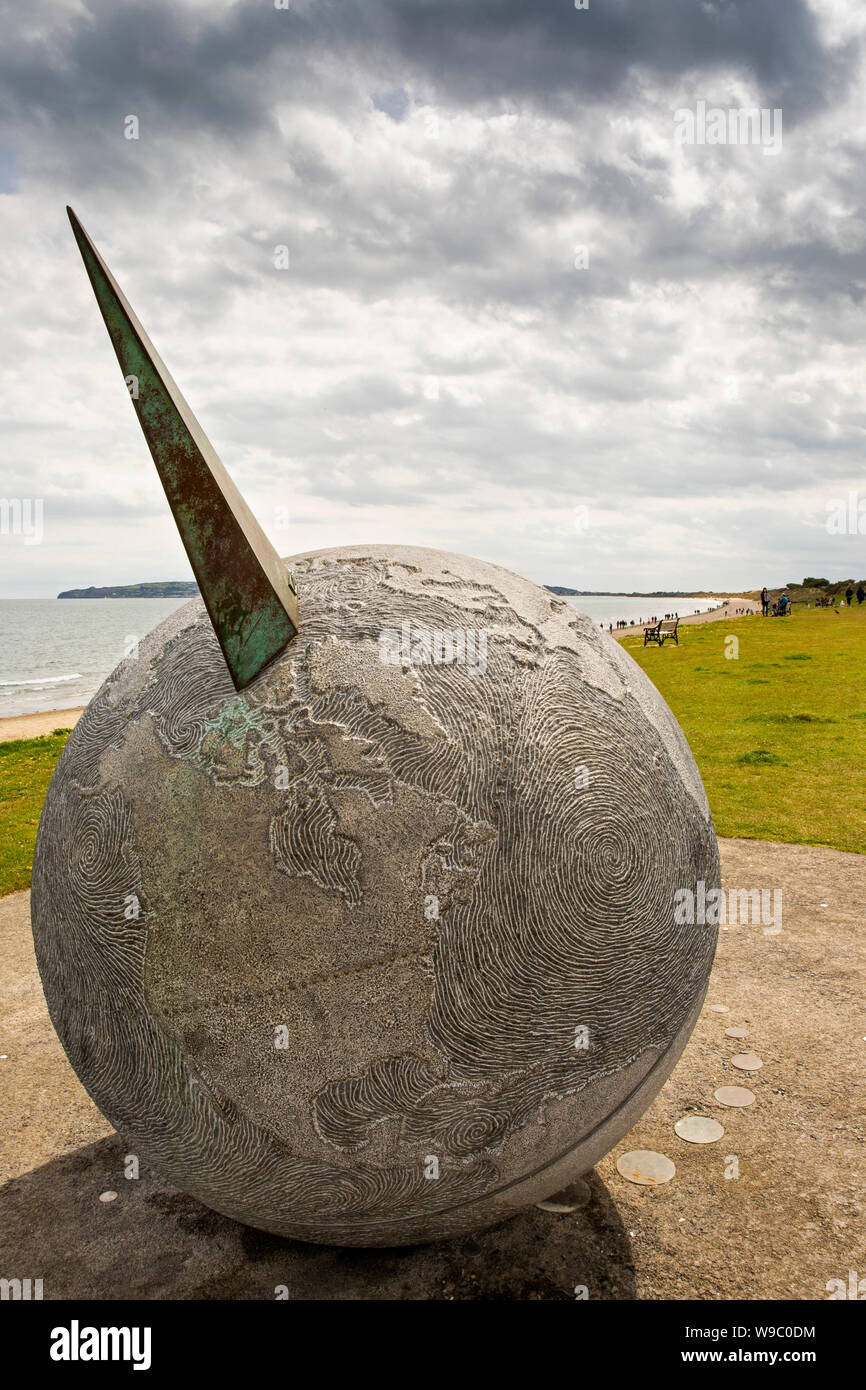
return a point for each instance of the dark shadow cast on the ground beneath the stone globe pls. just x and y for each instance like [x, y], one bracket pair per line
[154, 1242]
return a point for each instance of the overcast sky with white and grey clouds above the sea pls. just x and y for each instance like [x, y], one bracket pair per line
[521, 319]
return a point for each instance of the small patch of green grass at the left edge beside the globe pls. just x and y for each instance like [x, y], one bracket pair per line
[26, 772]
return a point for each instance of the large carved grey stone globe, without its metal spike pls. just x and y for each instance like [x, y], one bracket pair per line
[380, 947]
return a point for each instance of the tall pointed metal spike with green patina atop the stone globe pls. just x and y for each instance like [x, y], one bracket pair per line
[248, 591]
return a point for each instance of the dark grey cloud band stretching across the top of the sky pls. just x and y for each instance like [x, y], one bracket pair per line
[197, 63]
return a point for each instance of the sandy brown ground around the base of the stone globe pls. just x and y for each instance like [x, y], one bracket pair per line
[792, 1221]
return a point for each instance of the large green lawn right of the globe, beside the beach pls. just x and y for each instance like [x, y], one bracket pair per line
[779, 732]
